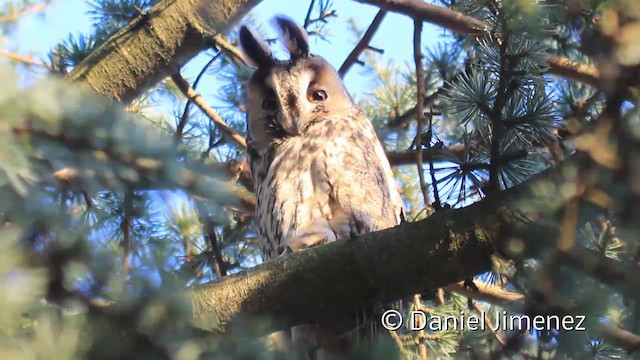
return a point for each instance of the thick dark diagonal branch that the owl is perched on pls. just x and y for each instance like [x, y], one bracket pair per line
[392, 264]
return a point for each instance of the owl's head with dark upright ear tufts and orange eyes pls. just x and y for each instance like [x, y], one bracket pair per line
[286, 97]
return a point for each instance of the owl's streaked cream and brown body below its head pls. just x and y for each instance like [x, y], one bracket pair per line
[332, 182]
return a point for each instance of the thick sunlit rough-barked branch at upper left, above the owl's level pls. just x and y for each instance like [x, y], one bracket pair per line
[156, 44]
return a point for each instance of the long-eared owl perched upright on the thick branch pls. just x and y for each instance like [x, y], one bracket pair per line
[320, 172]
